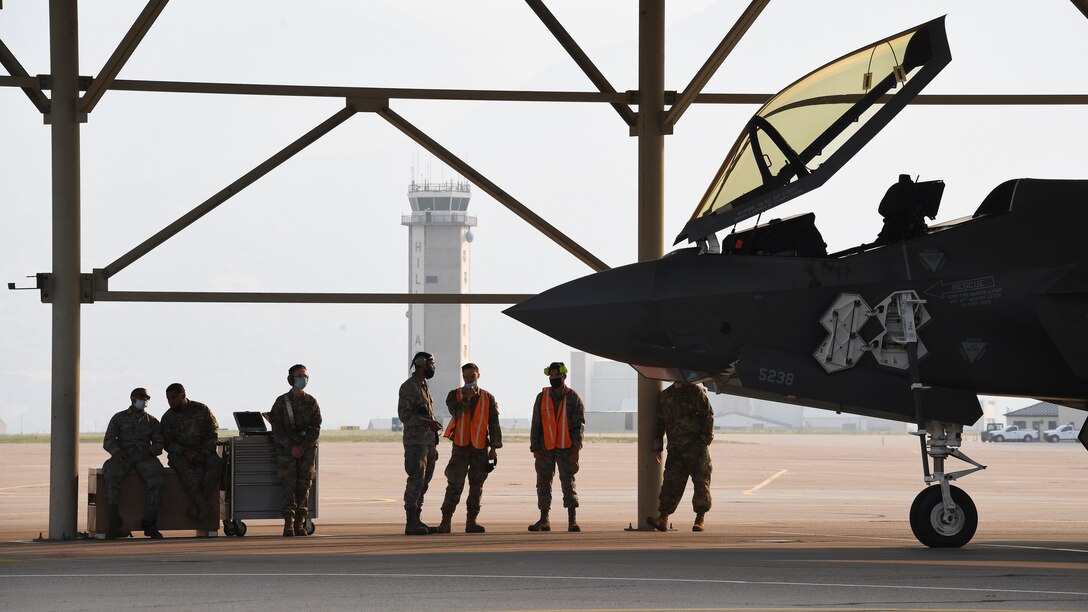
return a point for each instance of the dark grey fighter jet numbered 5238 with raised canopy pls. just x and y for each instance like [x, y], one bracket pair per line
[912, 326]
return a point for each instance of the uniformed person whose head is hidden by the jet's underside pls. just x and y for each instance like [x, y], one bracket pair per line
[686, 417]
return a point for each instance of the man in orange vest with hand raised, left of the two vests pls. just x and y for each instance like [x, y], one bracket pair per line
[474, 430]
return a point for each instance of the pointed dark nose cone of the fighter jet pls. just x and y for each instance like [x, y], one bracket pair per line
[603, 314]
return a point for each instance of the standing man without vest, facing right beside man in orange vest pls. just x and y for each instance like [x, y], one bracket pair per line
[416, 410]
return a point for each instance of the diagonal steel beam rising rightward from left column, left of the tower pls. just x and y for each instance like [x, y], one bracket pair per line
[228, 192]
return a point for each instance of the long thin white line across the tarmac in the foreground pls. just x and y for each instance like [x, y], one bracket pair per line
[537, 578]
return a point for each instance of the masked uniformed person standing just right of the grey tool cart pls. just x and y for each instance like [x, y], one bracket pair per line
[296, 426]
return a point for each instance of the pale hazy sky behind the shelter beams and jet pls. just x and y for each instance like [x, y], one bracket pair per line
[329, 219]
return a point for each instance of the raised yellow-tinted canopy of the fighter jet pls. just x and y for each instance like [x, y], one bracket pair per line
[809, 131]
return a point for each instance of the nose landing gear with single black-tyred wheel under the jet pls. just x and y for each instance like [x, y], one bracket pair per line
[944, 517]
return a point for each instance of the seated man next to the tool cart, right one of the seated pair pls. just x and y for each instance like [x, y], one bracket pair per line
[189, 433]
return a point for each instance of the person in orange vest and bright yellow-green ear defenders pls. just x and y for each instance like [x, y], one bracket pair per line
[555, 440]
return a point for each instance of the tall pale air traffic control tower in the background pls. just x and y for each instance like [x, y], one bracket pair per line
[439, 262]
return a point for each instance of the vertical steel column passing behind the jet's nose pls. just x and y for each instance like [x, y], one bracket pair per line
[651, 222]
